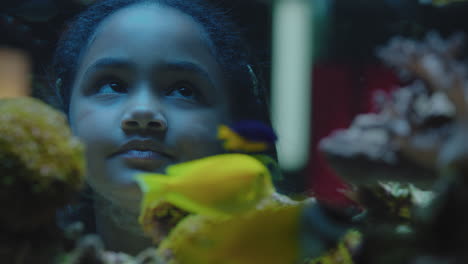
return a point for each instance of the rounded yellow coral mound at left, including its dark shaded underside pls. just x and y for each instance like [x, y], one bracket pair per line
[41, 163]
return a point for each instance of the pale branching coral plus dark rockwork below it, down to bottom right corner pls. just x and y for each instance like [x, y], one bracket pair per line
[419, 136]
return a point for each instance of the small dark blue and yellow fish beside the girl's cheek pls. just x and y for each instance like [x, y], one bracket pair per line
[247, 136]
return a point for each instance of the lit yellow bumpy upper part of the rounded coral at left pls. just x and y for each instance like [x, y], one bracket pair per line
[37, 138]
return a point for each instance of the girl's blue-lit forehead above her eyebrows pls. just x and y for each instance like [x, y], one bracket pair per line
[148, 33]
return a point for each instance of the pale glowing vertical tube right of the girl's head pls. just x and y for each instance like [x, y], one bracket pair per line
[291, 80]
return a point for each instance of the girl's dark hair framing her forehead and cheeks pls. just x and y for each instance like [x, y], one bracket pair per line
[246, 92]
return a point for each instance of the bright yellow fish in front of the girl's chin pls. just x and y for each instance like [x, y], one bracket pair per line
[218, 186]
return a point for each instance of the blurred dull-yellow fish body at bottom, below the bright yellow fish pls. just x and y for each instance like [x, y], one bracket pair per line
[270, 235]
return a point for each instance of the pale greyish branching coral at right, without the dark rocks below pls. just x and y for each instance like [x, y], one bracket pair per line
[402, 141]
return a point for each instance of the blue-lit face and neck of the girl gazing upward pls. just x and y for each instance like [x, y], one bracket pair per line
[148, 93]
